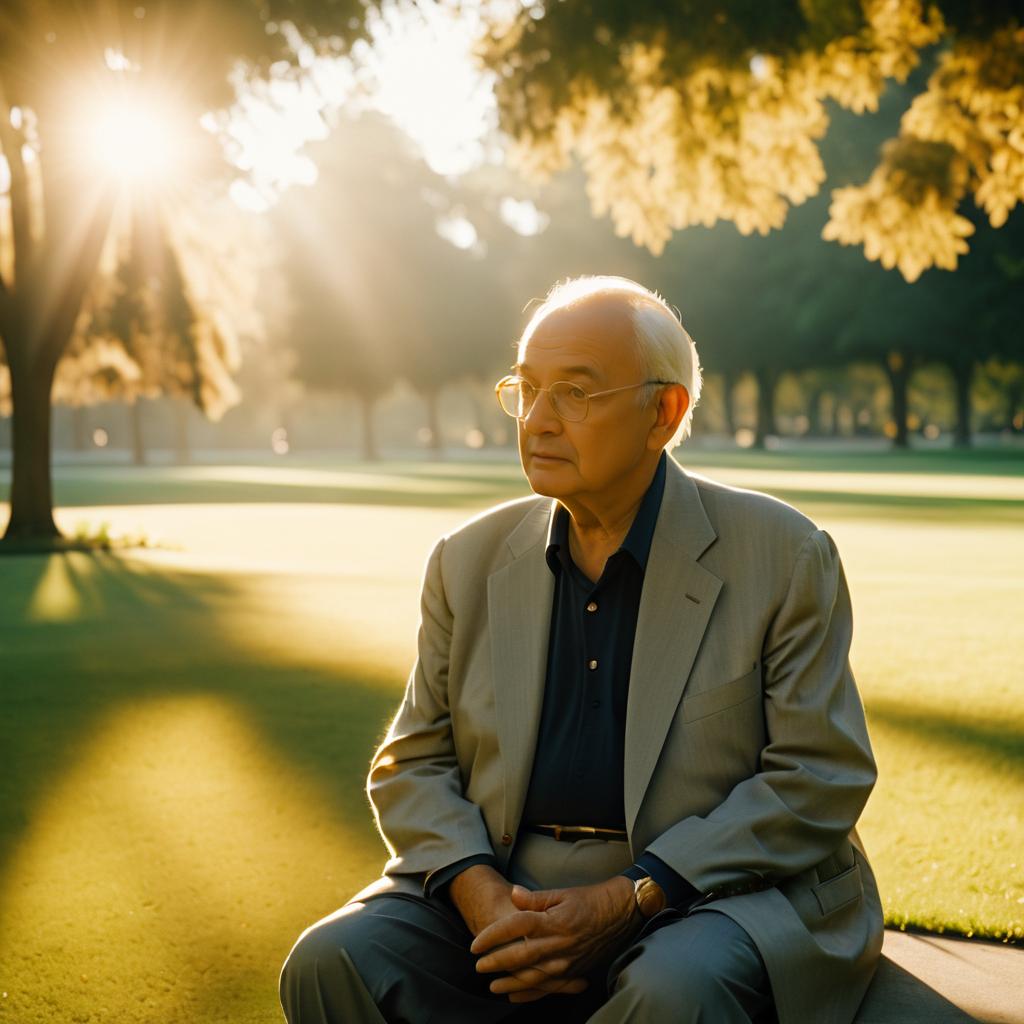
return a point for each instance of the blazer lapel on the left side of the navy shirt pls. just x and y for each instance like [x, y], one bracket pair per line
[520, 598]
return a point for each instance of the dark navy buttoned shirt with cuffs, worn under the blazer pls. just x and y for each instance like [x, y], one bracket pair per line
[577, 777]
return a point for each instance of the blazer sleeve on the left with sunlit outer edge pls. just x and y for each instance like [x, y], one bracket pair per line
[415, 787]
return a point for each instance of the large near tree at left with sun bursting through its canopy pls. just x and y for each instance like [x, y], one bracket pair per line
[60, 65]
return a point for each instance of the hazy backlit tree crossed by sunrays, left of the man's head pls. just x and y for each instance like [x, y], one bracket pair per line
[377, 292]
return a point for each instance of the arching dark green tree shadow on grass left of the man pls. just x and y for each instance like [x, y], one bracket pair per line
[132, 633]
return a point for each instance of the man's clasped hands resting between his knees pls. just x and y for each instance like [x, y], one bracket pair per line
[544, 942]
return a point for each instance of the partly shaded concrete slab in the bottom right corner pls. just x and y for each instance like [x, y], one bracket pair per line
[936, 980]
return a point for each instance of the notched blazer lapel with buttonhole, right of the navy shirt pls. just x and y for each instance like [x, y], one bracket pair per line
[676, 605]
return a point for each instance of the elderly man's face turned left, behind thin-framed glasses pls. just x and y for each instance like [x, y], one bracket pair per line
[592, 347]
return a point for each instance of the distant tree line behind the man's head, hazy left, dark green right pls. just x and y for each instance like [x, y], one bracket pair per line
[378, 294]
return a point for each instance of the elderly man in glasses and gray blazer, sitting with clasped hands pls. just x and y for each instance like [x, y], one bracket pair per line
[624, 780]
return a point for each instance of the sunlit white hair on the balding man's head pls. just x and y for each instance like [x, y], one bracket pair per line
[666, 350]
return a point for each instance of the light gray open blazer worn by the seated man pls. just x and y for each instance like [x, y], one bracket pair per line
[748, 760]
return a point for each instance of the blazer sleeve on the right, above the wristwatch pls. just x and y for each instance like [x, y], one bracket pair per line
[817, 770]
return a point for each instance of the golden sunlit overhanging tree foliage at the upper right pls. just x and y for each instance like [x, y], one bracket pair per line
[688, 114]
